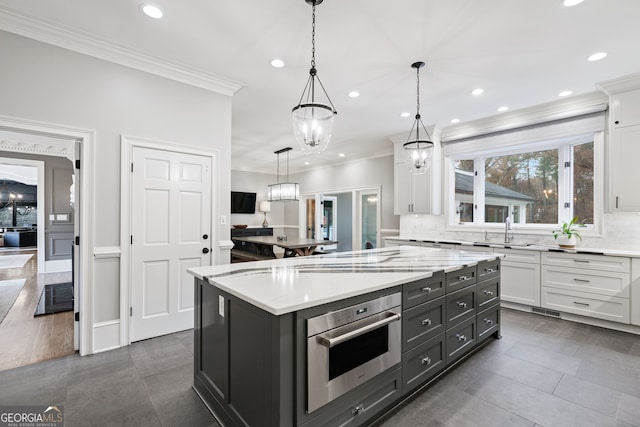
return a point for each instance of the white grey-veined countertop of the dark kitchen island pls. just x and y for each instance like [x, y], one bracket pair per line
[285, 285]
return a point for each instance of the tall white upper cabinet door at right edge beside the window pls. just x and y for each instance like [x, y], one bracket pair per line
[625, 150]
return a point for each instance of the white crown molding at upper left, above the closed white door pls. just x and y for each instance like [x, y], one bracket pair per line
[27, 26]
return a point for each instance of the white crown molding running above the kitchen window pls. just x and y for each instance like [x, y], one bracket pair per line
[557, 110]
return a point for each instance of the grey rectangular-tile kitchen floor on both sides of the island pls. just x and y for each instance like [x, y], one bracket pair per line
[543, 372]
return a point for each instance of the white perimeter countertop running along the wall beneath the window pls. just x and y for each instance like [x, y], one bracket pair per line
[531, 247]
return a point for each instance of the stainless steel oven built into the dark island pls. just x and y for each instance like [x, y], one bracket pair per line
[347, 347]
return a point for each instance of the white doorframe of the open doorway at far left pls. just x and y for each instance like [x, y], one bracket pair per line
[83, 210]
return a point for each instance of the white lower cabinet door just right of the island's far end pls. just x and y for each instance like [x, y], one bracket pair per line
[520, 283]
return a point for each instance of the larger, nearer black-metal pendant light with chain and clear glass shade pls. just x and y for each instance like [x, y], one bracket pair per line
[313, 121]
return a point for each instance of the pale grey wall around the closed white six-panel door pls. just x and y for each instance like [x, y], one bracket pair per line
[53, 85]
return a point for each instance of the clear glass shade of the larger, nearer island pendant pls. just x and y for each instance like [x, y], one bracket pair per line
[312, 126]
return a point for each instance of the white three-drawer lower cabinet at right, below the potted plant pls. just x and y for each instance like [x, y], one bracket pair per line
[589, 285]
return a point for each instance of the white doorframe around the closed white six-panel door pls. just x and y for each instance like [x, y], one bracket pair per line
[127, 144]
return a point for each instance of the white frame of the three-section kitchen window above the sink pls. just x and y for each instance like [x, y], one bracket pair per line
[565, 183]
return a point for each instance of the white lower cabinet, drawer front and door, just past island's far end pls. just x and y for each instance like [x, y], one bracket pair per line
[521, 276]
